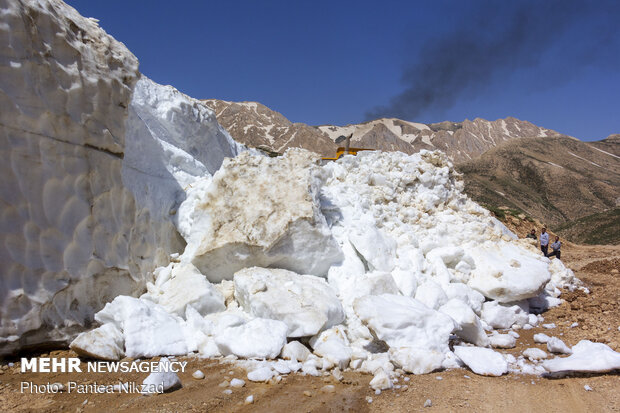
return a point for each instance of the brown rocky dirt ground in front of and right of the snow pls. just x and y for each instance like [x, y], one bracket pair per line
[597, 315]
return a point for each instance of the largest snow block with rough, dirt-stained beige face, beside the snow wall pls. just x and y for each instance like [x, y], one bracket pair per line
[264, 212]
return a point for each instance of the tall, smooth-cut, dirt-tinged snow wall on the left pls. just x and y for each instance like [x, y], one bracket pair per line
[95, 159]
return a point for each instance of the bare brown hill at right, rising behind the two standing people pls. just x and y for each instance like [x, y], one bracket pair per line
[555, 179]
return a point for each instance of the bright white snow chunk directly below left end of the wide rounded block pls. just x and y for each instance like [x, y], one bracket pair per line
[258, 338]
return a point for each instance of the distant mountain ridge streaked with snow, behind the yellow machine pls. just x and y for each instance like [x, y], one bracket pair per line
[258, 126]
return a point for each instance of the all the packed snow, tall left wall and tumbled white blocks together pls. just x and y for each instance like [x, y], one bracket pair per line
[146, 217]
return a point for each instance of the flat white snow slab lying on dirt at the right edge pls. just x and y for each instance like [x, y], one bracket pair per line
[587, 357]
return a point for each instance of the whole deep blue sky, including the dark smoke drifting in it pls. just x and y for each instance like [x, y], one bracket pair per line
[335, 62]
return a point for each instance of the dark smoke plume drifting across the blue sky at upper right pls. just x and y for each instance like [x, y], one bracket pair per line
[495, 44]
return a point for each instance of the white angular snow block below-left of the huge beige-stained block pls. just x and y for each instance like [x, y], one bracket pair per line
[187, 287]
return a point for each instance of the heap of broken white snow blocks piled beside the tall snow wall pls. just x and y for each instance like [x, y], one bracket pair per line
[376, 262]
